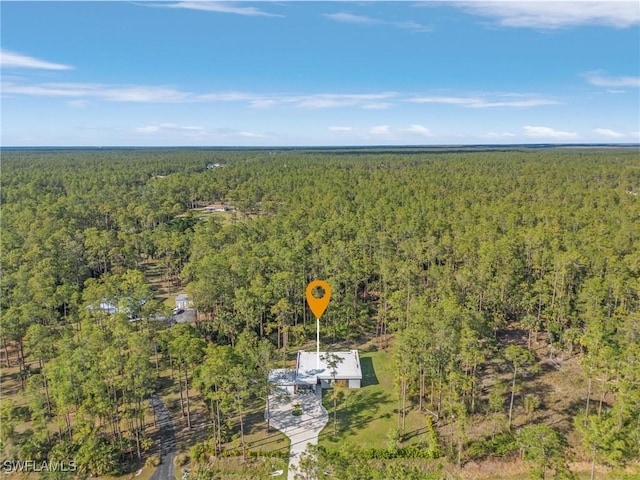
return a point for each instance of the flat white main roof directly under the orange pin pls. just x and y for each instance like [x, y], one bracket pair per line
[309, 370]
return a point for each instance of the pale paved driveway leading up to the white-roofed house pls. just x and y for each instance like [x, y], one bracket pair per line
[303, 429]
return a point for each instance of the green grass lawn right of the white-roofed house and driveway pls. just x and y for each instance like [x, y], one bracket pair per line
[365, 416]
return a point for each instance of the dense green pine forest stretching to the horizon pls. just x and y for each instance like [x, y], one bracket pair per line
[468, 266]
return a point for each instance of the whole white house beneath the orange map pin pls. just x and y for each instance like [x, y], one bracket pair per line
[307, 375]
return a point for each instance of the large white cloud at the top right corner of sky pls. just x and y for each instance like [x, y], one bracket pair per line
[551, 15]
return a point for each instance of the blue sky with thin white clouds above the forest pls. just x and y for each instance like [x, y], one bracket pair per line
[319, 73]
